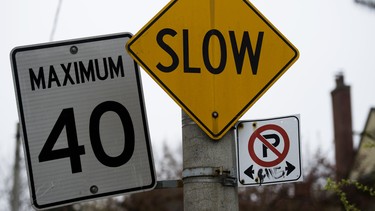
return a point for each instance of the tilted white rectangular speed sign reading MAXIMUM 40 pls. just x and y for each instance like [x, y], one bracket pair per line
[83, 120]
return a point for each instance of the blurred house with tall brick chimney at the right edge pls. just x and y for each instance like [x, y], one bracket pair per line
[355, 165]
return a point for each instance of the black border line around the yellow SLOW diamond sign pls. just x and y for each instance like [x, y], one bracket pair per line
[180, 102]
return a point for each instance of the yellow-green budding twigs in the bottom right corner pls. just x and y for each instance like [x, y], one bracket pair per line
[338, 187]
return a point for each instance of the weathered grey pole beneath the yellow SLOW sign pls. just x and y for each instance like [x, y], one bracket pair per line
[209, 168]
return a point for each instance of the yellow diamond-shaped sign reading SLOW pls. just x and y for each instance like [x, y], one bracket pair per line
[214, 58]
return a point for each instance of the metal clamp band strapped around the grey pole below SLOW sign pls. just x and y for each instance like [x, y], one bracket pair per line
[217, 172]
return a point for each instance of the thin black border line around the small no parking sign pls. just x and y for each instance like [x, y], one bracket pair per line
[238, 156]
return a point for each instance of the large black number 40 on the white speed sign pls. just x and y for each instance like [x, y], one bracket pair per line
[74, 151]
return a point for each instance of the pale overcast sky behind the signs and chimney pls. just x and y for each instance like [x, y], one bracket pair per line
[332, 36]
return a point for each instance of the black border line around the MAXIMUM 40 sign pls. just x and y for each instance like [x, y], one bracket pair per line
[23, 126]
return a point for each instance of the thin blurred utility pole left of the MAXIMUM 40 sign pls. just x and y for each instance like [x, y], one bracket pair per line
[15, 197]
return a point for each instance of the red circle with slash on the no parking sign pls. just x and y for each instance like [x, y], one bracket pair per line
[258, 136]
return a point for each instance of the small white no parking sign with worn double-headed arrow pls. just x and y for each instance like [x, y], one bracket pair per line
[269, 151]
